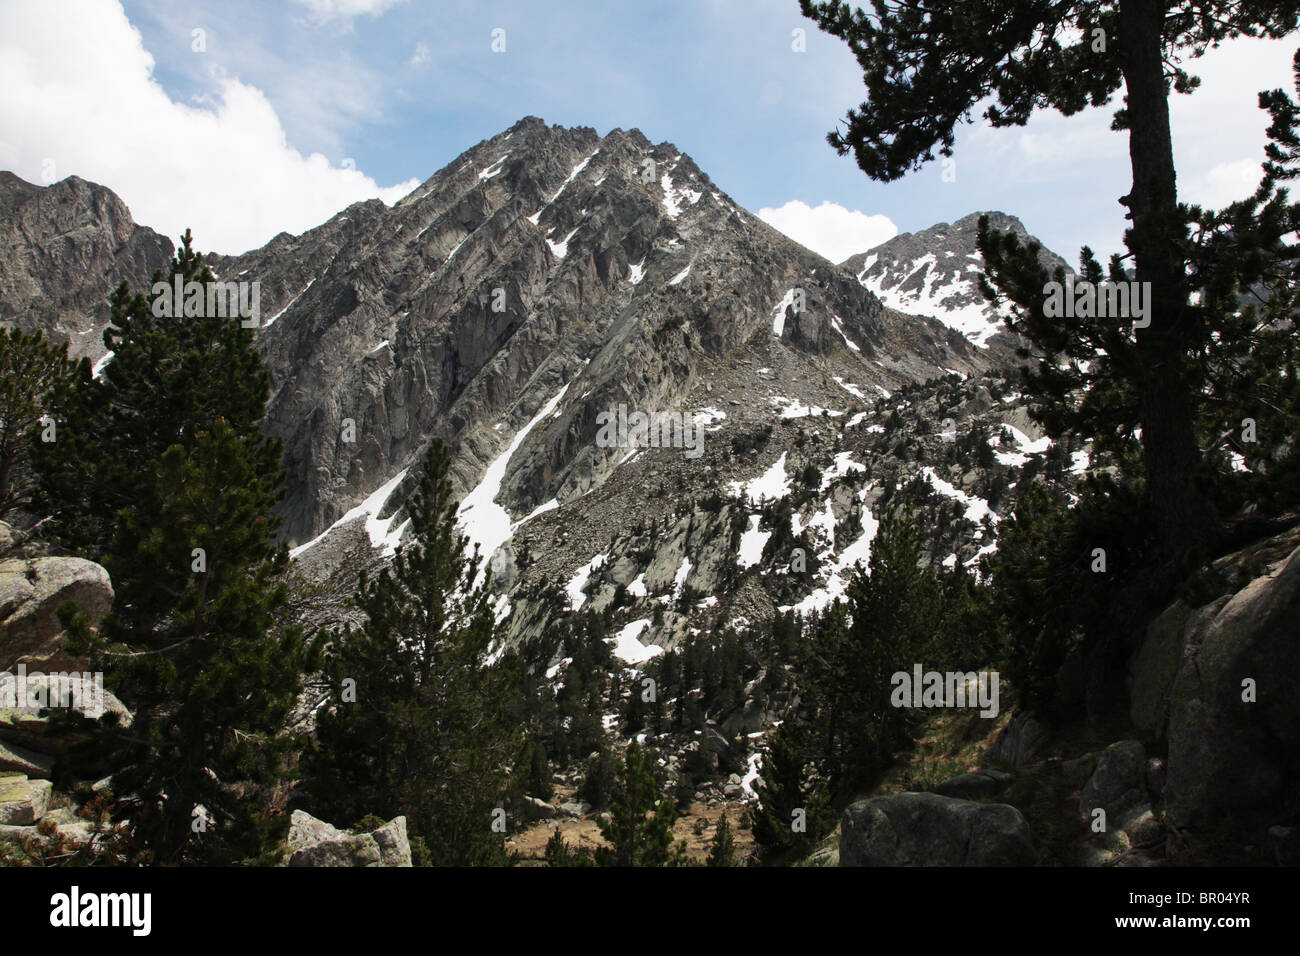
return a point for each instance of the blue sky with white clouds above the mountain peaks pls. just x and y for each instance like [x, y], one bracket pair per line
[293, 110]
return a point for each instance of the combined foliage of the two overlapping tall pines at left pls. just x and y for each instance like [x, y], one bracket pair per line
[183, 483]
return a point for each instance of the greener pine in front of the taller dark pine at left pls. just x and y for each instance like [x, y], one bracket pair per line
[211, 684]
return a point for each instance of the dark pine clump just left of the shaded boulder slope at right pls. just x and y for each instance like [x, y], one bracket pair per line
[847, 730]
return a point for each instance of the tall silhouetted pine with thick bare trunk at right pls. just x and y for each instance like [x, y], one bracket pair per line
[929, 64]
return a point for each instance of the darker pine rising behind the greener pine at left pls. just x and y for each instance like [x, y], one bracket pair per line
[171, 377]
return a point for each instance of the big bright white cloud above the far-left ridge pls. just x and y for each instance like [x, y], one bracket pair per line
[81, 96]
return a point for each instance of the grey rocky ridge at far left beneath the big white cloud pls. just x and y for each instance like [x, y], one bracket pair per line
[63, 250]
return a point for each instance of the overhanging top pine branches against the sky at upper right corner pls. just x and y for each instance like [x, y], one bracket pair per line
[928, 64]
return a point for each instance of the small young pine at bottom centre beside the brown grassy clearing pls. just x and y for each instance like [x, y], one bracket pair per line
[640, 824]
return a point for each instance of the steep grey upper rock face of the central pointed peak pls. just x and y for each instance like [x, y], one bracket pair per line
[540, 259]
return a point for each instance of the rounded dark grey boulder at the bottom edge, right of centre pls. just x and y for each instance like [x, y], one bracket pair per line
[931, 830]
